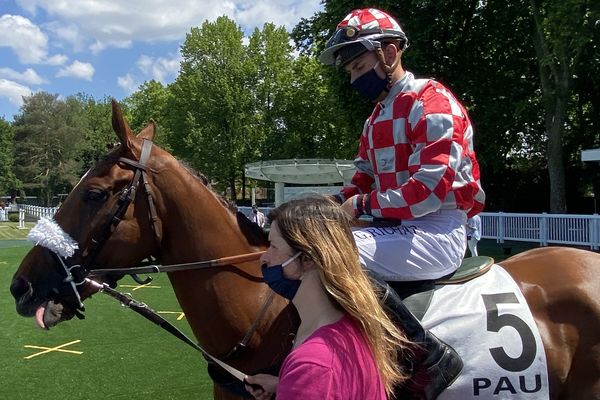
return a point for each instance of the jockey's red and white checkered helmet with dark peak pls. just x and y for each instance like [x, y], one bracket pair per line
[362, 30]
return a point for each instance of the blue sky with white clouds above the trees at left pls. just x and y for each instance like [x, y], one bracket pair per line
[109, 47]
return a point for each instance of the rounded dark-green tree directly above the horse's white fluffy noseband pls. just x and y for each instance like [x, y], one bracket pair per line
[47, 140]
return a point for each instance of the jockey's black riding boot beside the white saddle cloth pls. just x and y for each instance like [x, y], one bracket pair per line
[435, 365]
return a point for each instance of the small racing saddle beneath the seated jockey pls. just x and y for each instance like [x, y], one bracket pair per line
[417, 295]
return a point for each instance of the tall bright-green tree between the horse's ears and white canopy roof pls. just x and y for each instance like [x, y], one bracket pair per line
[212, 106]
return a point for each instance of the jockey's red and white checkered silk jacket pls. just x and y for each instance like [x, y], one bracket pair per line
[416, 154]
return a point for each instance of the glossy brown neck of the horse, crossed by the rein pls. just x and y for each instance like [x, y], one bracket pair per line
[220, 302]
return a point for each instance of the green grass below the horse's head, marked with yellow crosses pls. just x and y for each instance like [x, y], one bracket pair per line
[124, 356]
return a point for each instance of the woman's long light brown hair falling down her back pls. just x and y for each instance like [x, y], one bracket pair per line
[322, 230]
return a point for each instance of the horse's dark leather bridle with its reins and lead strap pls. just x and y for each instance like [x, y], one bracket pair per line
[77, 275]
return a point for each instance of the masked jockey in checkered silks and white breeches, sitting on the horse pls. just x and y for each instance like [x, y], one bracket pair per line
[415, 165]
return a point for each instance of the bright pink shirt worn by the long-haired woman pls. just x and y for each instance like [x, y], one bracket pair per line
[334, 363]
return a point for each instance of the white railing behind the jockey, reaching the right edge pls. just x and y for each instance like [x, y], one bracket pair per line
[571, 229]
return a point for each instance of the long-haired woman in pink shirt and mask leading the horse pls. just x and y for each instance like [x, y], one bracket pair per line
[346, 347]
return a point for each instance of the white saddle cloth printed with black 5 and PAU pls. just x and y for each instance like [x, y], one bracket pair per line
[487, 321]
